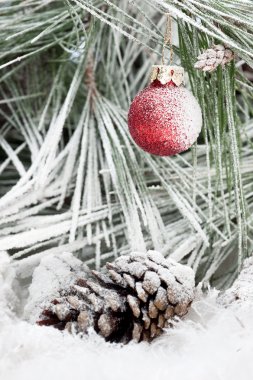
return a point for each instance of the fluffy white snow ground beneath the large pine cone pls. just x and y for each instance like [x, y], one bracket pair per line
[213, 342]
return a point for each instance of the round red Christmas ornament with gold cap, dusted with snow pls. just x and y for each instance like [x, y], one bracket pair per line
[165, 119]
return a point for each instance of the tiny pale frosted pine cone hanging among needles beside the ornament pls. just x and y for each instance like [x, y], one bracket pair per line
[210, 59]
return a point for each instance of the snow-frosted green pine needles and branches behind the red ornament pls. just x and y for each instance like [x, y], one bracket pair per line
[70, 176]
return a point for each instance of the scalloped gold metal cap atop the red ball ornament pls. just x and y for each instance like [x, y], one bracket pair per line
[166, 73]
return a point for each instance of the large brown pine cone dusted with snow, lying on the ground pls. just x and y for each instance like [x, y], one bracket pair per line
[135, 299]
